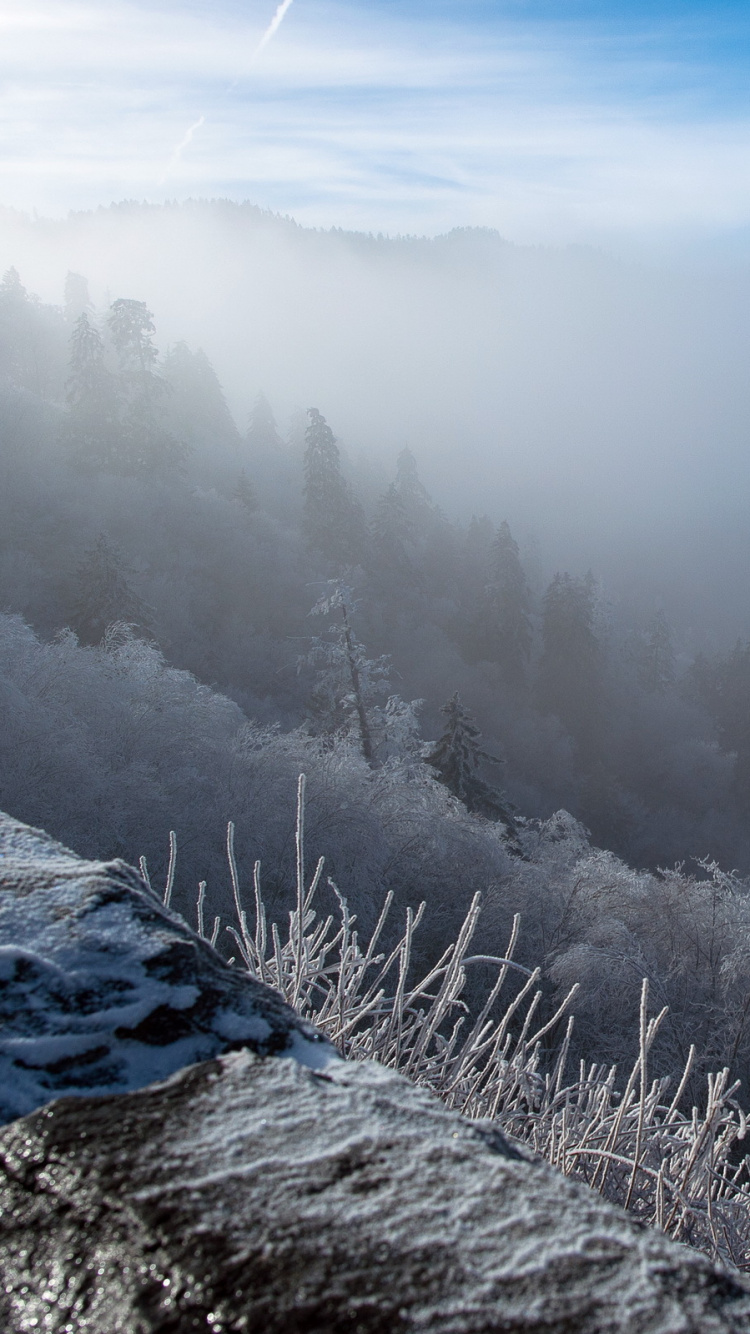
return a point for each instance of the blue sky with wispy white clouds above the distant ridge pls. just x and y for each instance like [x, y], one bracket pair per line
[550, 121]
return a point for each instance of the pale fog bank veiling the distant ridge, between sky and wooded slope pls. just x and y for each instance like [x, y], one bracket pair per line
[599, 404]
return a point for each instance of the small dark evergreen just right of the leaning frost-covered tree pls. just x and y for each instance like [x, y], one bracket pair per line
[457, 758]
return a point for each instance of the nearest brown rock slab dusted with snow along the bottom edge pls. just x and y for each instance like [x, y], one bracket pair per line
[262, 1196]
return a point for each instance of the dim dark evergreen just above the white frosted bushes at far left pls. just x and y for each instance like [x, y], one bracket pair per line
[105, 596]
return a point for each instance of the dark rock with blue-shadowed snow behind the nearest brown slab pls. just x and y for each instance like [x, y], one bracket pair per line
[105, 990]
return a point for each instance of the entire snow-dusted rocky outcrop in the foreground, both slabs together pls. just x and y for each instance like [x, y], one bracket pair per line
[249, 1193]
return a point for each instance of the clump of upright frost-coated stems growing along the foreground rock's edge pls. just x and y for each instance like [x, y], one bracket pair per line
[632, 1141]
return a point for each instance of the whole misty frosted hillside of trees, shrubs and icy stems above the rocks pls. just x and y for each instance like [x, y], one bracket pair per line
[196, 612]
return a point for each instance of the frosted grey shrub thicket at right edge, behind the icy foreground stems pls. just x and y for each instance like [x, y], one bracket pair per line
[595, 921]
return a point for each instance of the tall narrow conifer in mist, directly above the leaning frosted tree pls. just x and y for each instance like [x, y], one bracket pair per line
[333, 518]
